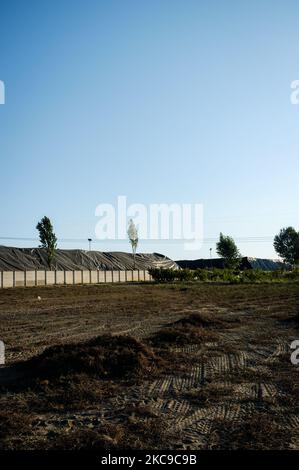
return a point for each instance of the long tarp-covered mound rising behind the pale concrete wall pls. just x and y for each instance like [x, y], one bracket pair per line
[20, 259]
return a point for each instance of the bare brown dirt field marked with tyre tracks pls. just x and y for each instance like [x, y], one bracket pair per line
[179, 366]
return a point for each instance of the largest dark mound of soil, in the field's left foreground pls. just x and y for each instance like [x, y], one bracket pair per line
[104, 356]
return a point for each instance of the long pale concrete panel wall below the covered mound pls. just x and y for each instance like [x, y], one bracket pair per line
[50, 278]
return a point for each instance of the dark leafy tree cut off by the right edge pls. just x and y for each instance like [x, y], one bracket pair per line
[286, 244]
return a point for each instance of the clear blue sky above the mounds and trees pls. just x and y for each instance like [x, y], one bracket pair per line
[162, 101]
